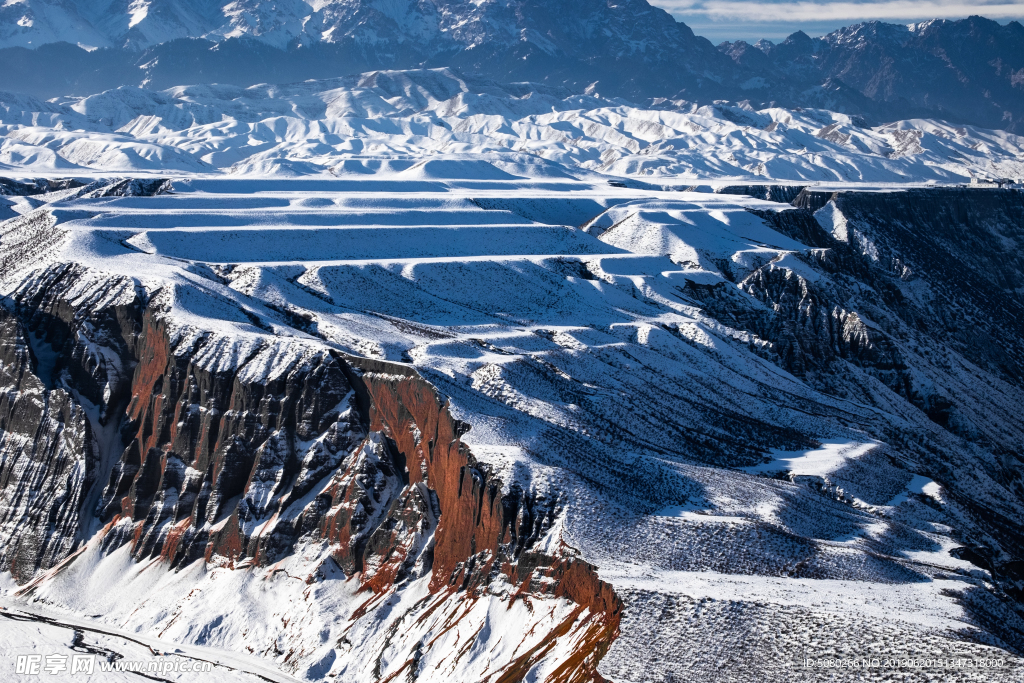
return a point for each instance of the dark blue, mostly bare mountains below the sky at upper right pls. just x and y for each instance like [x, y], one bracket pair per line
[972, 70]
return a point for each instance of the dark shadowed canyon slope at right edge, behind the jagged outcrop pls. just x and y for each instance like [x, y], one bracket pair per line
[964, 244]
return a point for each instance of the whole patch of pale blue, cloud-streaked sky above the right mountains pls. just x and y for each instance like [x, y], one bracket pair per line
[775, 20]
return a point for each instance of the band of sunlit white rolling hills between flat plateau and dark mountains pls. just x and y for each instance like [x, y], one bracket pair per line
[386, 122]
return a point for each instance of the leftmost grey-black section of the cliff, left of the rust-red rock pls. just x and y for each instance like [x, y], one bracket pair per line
[61, 396]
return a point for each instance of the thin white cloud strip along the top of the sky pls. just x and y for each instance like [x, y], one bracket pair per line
[799, 12]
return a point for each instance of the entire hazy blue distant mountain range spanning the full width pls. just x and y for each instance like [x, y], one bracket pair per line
[970, 71]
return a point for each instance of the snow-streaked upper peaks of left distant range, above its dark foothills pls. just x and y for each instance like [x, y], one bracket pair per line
[426, 27]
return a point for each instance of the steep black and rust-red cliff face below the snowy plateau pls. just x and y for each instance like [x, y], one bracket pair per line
[190, 450]
